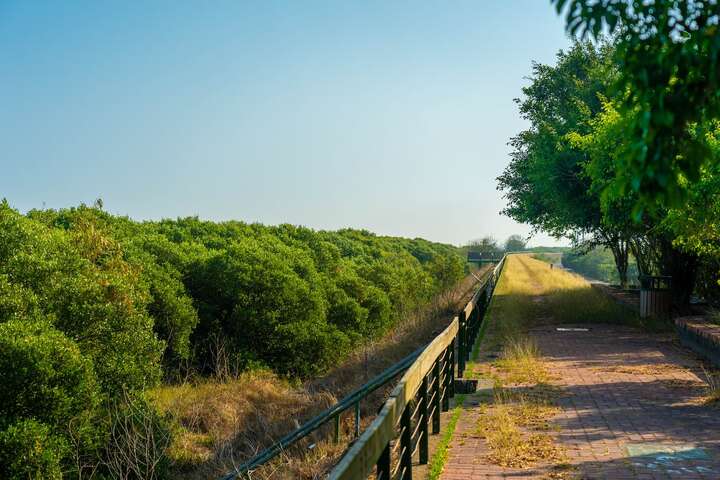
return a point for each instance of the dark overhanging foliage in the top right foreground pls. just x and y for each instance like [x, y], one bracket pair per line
[669, 78]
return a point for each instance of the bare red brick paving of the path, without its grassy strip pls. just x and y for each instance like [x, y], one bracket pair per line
[631, 409]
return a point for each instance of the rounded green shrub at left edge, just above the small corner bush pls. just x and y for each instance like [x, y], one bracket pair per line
[48, 388]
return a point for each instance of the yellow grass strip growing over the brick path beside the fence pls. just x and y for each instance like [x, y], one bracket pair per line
[516, 419]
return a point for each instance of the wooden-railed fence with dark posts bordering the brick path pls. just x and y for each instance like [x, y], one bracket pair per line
[402, 428]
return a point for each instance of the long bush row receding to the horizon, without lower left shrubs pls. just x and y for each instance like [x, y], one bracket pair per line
[179, 293]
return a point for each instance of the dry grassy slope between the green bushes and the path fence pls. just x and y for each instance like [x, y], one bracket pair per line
[222, 422]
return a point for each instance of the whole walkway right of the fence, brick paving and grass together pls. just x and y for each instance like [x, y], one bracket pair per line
[575, 387]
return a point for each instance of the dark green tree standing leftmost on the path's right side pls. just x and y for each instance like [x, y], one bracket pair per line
[546, 183]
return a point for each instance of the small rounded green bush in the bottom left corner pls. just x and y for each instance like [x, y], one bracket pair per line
[29, 450]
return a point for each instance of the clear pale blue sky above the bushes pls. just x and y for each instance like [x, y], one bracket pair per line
[388, 115]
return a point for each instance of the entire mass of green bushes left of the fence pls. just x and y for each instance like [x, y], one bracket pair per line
[96, 308]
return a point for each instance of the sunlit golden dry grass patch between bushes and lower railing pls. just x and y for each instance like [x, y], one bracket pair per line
[219, 424]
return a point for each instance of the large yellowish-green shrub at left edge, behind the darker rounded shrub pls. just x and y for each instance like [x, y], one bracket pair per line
[79, 280]
